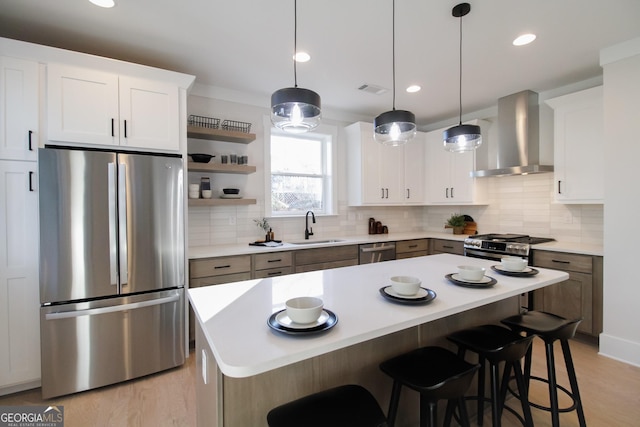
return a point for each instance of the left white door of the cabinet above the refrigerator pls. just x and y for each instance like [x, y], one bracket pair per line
[82, 105]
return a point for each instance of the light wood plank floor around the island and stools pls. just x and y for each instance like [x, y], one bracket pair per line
[610, 394]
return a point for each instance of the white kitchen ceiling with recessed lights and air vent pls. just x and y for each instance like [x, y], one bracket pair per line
[245, 47]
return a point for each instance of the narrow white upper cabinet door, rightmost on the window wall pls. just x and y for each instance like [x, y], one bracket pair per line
[414, 170]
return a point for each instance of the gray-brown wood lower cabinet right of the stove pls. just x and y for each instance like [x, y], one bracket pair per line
[578, 297]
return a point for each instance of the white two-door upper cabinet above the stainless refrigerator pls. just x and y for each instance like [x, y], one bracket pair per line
[86, 106]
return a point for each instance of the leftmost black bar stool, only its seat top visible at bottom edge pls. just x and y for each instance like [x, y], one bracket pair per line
[344, 406]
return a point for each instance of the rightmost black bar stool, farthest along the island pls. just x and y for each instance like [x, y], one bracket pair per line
[551, 328]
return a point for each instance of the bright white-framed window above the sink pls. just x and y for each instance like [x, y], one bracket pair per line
[301, 172]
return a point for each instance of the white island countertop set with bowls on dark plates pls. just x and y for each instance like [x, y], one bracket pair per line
[234, 316]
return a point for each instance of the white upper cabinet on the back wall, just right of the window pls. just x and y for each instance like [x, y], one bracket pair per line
[380, 174]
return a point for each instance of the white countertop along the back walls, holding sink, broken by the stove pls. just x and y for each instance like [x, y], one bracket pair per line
[246, 249]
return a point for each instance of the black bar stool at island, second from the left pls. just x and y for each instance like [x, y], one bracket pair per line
[435, 373]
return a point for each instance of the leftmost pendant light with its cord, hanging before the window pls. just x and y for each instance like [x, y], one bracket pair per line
[294, 109]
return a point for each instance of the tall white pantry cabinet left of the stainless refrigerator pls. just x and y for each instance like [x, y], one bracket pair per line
[19, 293]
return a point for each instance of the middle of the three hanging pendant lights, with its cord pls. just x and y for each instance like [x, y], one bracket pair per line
[394, 127]
